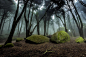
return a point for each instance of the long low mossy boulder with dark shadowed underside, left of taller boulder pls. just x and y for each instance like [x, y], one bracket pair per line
[37, 39]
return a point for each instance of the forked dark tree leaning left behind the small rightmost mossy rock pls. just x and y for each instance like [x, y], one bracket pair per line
[78, 20]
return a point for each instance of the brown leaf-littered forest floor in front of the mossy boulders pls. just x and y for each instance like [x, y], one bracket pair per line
[22, 49]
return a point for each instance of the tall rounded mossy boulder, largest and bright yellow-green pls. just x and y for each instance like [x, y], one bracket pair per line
[60, 37]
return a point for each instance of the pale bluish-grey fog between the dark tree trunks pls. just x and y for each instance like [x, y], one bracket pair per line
[39, 8]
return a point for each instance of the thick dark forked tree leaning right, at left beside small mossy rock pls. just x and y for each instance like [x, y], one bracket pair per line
[15, 21]
